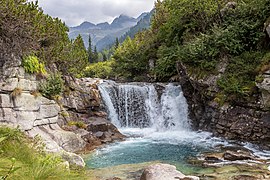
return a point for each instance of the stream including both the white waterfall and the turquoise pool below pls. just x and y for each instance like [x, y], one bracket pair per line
[154, 117]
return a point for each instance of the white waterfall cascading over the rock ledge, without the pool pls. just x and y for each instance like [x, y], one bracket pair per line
[142, 105]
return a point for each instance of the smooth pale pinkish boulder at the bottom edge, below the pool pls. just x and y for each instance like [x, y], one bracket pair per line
[164, 172]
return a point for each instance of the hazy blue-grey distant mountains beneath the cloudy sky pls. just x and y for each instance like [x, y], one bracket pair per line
[104, 34]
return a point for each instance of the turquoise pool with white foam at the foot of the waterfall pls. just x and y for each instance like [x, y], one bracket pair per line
[148, 145]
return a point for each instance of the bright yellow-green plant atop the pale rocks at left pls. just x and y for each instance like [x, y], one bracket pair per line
[32, 65]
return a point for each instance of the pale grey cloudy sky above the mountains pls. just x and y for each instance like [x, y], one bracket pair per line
[74, 12]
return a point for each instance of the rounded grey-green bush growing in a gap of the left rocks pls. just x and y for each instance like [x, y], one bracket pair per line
[52, 86]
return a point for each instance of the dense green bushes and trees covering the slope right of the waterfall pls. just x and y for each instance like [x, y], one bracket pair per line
[203, 36]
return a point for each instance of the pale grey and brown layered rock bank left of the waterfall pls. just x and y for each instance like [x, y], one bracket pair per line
[75, 122]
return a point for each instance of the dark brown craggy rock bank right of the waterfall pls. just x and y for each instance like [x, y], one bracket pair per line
[247, 121]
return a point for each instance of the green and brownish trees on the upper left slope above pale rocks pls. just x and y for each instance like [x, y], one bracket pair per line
[26, 30]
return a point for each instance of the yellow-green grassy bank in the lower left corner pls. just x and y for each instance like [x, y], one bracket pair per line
[24, 159]
